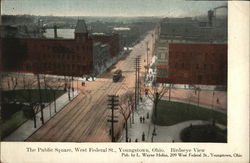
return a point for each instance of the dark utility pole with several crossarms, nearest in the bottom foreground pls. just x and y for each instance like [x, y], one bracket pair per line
[113, 103]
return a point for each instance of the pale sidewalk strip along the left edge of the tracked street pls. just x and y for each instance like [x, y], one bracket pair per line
[27, 128]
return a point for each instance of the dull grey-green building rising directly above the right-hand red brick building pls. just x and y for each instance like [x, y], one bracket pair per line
[190, 29]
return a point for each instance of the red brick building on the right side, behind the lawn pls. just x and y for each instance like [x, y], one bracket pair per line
[193, 63]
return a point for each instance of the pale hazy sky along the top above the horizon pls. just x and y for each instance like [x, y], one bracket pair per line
[164, 8]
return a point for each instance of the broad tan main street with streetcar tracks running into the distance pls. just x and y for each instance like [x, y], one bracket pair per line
[85, 118]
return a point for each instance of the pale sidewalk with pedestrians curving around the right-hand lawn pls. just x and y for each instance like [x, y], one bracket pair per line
[163, 133]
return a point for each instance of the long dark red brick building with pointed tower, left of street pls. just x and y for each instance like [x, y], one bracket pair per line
[58, 56]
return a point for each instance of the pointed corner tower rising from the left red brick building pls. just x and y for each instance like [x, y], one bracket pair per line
[81, 32]
